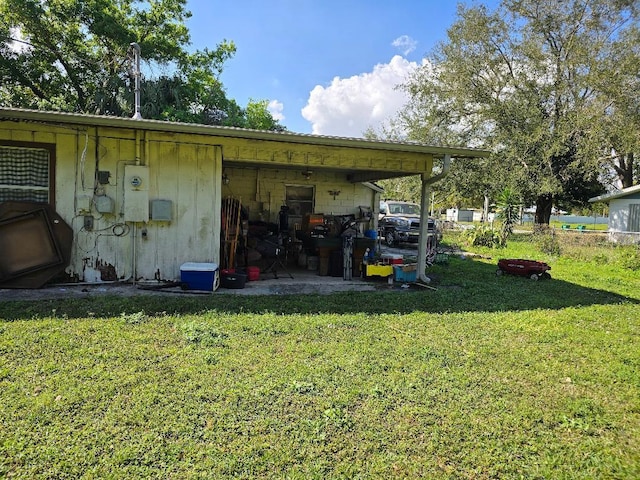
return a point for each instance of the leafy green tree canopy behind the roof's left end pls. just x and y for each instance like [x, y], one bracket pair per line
[75, 56]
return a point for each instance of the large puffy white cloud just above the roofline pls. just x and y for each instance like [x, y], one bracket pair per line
[349, 106]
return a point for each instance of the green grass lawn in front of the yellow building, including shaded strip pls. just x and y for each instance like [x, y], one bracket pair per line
[485, 377]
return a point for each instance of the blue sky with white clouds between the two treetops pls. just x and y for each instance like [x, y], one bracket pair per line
[328, 67]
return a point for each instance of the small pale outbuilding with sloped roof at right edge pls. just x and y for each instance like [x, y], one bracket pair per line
[624, 214]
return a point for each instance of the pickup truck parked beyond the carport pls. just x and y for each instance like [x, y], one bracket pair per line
[399, 222]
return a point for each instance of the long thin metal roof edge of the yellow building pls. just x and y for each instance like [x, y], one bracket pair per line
[233, 132]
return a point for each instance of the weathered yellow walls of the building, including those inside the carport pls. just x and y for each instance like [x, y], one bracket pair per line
[187, 170]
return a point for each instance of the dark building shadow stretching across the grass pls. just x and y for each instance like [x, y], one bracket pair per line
[462, 286]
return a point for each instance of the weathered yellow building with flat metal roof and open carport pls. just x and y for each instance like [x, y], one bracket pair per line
[144, 196]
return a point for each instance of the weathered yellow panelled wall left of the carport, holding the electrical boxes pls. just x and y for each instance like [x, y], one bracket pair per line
[183, 169]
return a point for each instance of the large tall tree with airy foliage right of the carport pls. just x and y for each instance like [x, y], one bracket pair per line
[522, 81]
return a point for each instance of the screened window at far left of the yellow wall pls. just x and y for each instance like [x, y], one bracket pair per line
[25, 174]
